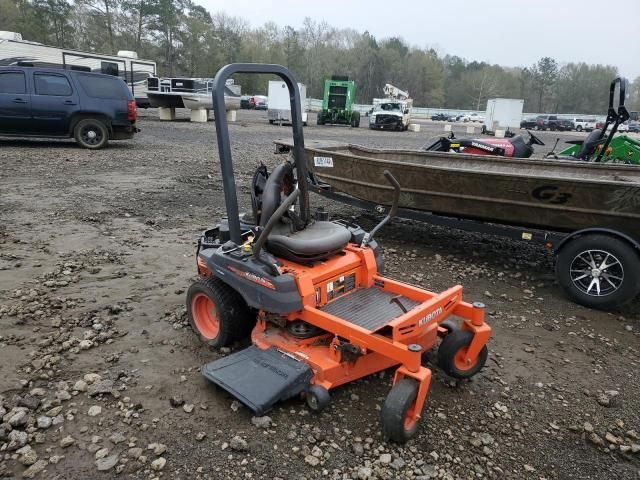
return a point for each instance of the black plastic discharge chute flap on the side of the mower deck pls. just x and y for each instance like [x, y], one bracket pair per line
[259, 378]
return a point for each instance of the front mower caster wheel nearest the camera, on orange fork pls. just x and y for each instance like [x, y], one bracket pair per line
[400, 421]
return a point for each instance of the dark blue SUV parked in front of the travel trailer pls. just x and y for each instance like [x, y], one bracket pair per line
[46, 102]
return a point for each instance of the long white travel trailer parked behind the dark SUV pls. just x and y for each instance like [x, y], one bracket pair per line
[126, 65]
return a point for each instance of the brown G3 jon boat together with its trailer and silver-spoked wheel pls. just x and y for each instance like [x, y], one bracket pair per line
[587, 214]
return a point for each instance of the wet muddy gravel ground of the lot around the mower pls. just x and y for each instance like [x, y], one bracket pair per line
[99, 370]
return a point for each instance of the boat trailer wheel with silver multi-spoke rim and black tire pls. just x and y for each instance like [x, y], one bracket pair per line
[599, 271]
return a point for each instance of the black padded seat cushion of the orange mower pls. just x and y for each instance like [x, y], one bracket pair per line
[317, 241]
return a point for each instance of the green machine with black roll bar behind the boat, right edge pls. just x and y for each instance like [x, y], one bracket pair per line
[600, 147]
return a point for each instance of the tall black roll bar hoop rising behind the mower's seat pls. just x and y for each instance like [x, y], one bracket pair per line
[224, 146]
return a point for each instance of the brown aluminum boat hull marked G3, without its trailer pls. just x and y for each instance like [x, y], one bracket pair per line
[558, 195]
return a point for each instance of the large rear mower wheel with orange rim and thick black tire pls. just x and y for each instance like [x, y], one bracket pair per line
[217, 313]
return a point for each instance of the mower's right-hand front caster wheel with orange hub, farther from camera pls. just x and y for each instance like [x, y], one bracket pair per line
[452, 353]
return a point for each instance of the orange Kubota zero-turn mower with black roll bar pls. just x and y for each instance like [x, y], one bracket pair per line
[311, 295]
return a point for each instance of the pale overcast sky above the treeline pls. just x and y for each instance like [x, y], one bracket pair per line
[506, 32]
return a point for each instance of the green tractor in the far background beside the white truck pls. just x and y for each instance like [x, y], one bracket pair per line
[337, 102]
